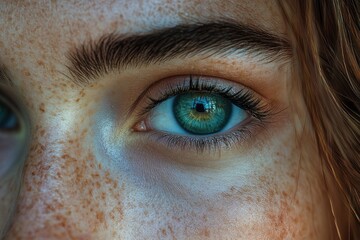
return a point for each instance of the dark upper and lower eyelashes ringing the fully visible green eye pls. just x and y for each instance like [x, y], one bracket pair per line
[242, 98]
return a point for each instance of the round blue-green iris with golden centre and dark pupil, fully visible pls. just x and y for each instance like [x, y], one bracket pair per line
[202, 113]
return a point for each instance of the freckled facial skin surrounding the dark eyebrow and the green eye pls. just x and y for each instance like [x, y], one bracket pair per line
[87, 176]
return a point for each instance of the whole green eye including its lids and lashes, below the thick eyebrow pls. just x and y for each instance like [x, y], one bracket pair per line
[201, 112]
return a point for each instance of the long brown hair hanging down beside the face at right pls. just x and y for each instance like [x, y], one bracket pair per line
[327, 44]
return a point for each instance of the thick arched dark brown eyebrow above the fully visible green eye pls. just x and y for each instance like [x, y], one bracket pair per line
[112, 51]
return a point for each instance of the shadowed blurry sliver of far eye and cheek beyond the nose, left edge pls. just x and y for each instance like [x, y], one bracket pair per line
[13, 141]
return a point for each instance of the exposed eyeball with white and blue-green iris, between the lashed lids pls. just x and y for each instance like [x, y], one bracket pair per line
[196, 113]
